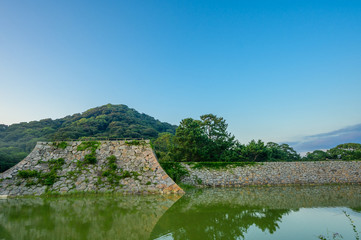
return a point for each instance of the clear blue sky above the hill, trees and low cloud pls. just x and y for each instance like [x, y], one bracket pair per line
[275, 70]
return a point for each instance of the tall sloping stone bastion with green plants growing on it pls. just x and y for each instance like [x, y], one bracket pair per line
[67, 167]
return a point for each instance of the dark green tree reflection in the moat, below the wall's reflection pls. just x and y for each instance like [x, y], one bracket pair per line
[215, 221]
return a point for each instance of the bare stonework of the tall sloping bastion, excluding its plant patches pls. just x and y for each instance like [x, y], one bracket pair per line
[77, 175]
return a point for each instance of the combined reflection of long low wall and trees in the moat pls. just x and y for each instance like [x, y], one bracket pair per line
[225, 213]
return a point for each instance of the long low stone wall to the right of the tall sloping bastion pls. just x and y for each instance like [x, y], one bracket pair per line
[277, 173]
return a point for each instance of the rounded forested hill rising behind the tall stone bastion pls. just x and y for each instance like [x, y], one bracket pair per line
[111, 121]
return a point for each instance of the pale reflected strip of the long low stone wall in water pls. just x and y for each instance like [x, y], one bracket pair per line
[277, 197]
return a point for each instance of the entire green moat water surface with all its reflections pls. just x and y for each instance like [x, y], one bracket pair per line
[244, 213]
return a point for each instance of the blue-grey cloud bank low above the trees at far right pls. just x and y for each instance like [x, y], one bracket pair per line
[328, 140]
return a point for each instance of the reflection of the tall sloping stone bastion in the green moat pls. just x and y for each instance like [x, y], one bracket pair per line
[106, 217]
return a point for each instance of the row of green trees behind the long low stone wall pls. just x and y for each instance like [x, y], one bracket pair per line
[207, 140]
